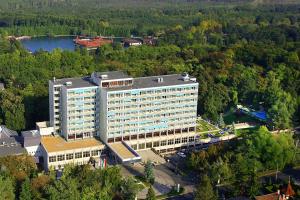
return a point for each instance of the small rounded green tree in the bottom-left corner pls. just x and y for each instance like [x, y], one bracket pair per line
[6, 188]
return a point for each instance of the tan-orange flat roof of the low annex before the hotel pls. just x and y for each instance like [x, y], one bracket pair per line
[57, 143]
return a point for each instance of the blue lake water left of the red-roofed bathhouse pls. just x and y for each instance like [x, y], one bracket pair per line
[49, 43]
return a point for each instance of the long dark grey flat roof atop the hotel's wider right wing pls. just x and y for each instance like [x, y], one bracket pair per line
[152, 81]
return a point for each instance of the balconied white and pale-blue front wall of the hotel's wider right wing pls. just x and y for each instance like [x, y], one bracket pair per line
[155, 111]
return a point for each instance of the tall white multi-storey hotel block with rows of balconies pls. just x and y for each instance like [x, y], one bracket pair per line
[149, 112]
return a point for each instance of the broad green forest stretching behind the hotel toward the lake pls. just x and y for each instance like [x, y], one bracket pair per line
[239, 55]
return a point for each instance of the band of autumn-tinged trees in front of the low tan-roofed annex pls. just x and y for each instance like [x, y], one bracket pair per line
[20, 179]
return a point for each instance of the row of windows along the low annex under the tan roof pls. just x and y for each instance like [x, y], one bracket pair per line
[70, 156]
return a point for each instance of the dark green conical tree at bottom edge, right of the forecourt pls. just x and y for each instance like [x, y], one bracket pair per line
[205, 190]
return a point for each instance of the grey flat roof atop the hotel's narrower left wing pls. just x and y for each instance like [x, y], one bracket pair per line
[76, 82]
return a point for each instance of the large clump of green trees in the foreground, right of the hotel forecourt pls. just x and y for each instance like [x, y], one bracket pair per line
[240, 168]
